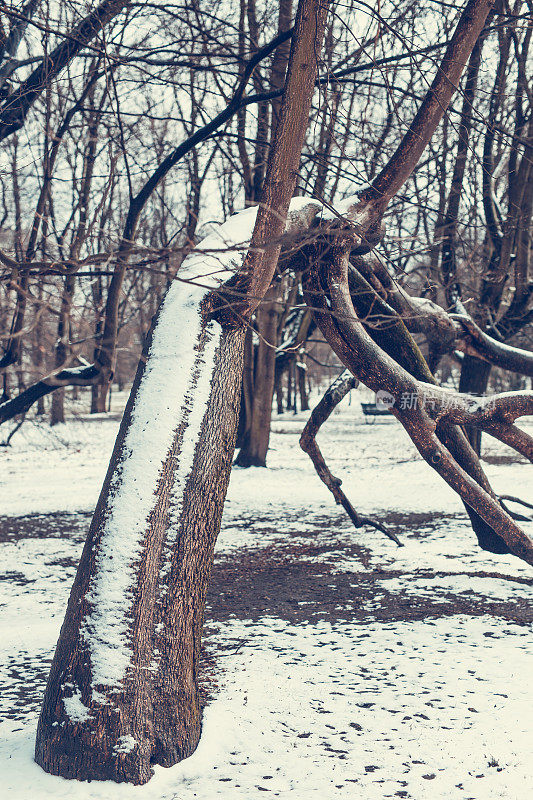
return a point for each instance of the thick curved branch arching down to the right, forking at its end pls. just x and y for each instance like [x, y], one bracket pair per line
[328, 293]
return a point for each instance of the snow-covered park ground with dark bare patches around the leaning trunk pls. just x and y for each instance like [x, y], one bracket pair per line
[345, 666]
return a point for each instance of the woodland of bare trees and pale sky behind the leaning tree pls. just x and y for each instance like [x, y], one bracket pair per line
[103, 157]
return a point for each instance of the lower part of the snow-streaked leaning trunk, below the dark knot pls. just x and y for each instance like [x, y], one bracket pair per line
[122, 693]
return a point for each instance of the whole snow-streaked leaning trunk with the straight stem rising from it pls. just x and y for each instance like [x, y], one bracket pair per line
[122, 692]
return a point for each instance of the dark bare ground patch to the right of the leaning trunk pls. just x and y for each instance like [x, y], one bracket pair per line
[299, 581]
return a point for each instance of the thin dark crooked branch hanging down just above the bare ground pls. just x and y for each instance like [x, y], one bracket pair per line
[320, 414]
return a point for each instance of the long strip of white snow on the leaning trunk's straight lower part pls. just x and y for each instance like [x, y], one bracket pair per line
[162, 404]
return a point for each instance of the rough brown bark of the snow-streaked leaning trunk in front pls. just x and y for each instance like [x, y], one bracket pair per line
[158, 698]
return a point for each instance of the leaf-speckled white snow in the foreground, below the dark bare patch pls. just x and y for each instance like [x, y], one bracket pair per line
[435, 709]
